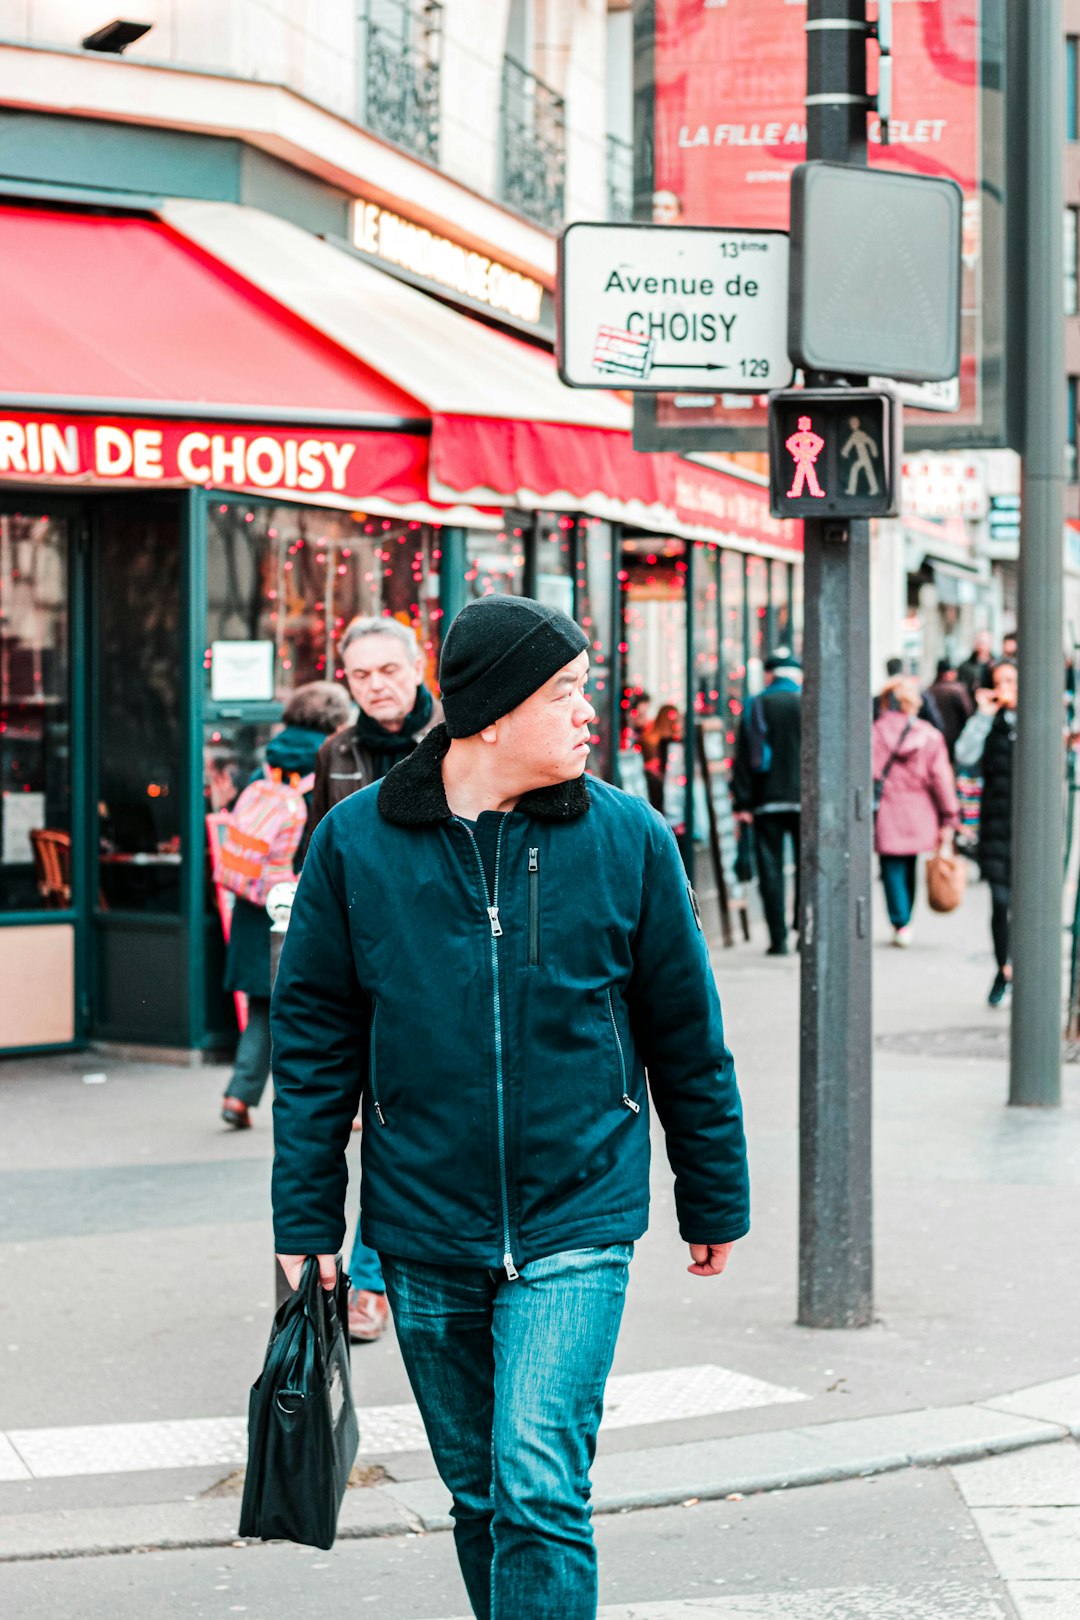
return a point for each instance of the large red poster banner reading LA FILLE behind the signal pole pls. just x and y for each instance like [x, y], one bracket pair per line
[731, 124]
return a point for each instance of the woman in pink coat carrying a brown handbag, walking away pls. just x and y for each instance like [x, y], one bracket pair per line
[919, 809]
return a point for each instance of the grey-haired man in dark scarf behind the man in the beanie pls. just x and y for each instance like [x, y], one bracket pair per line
[385, 668]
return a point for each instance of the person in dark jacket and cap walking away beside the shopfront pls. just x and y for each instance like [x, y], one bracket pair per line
[767, 787]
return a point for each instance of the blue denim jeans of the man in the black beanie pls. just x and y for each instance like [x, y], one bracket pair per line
[509, 1379]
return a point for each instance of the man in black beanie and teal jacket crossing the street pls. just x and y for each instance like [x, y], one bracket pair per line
[496, 1017]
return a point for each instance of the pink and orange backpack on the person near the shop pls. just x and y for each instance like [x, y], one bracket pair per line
[261, 835]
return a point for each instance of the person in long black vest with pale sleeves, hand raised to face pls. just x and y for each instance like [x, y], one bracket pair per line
[989, 746]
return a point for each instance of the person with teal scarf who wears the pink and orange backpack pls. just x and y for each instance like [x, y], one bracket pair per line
[312, 714]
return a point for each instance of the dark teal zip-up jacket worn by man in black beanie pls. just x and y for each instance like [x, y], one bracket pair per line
[501, 1060]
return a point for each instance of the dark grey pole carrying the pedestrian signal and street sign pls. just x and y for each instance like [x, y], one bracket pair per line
[836, 1206]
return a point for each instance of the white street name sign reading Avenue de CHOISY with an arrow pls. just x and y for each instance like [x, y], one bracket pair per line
[660, 309]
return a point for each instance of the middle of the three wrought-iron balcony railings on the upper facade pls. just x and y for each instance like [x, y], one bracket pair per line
[534, 176]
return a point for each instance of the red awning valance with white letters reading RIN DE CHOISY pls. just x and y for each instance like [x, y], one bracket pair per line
[218, 456]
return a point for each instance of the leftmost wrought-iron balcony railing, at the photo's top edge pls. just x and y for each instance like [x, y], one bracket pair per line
[401, 59]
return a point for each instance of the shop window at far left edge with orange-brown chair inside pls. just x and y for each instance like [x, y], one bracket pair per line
[35, 715]
